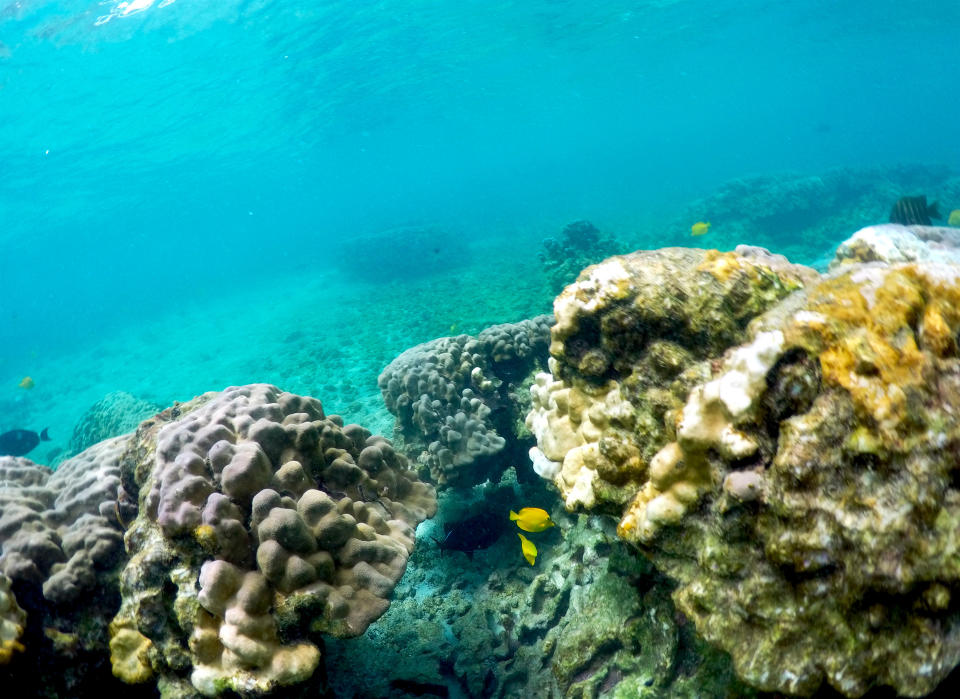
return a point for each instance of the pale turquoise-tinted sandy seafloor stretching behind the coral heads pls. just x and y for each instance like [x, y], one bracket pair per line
[312, 331]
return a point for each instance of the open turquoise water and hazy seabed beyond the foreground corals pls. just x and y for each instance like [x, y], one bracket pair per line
[180, 181]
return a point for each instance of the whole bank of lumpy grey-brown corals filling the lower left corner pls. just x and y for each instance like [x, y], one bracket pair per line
[255, 525]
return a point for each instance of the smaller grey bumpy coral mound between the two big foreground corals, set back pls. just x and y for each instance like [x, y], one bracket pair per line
[460, 400]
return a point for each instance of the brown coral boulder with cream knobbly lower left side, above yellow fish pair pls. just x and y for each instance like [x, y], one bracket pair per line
[633, 336]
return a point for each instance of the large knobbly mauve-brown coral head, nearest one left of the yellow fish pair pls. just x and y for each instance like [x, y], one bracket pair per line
[263, 524]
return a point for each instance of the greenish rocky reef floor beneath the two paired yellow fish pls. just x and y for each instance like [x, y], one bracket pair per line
[590, 619]
